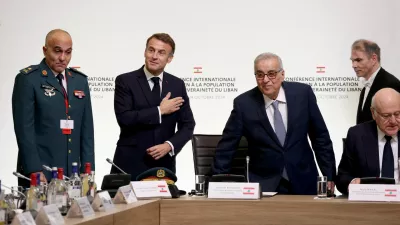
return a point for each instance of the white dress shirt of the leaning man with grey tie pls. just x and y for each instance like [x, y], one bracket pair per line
[281, 105]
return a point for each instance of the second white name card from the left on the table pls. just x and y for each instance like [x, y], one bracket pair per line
[49, 214]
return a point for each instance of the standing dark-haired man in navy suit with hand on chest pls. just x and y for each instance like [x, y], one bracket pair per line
[149, 103]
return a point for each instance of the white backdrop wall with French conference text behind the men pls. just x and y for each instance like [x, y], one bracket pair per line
[221, 37]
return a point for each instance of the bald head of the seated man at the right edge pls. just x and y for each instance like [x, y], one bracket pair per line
[385, 109]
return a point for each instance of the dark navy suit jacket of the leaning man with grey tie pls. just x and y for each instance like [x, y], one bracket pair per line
[267, 156]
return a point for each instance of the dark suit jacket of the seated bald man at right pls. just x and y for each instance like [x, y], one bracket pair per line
[361, 155]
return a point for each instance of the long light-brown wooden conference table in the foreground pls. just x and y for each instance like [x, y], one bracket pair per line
[280, 209]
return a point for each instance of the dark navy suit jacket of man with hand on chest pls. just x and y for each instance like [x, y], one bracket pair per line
[138, 117]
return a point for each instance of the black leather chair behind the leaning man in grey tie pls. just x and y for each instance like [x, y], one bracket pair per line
[204, 146]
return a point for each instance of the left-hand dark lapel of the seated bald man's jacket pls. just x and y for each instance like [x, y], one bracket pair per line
[370, 140]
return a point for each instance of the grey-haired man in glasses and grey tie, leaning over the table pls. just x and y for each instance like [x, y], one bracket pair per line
[277, 117]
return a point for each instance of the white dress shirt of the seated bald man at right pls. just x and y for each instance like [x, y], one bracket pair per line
[395, 146]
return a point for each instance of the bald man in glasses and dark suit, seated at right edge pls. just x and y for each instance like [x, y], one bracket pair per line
[372, 148]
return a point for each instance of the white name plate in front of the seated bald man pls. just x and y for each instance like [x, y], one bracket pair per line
[374, 192]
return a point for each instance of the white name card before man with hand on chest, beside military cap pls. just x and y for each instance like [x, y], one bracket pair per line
[150, 189]
